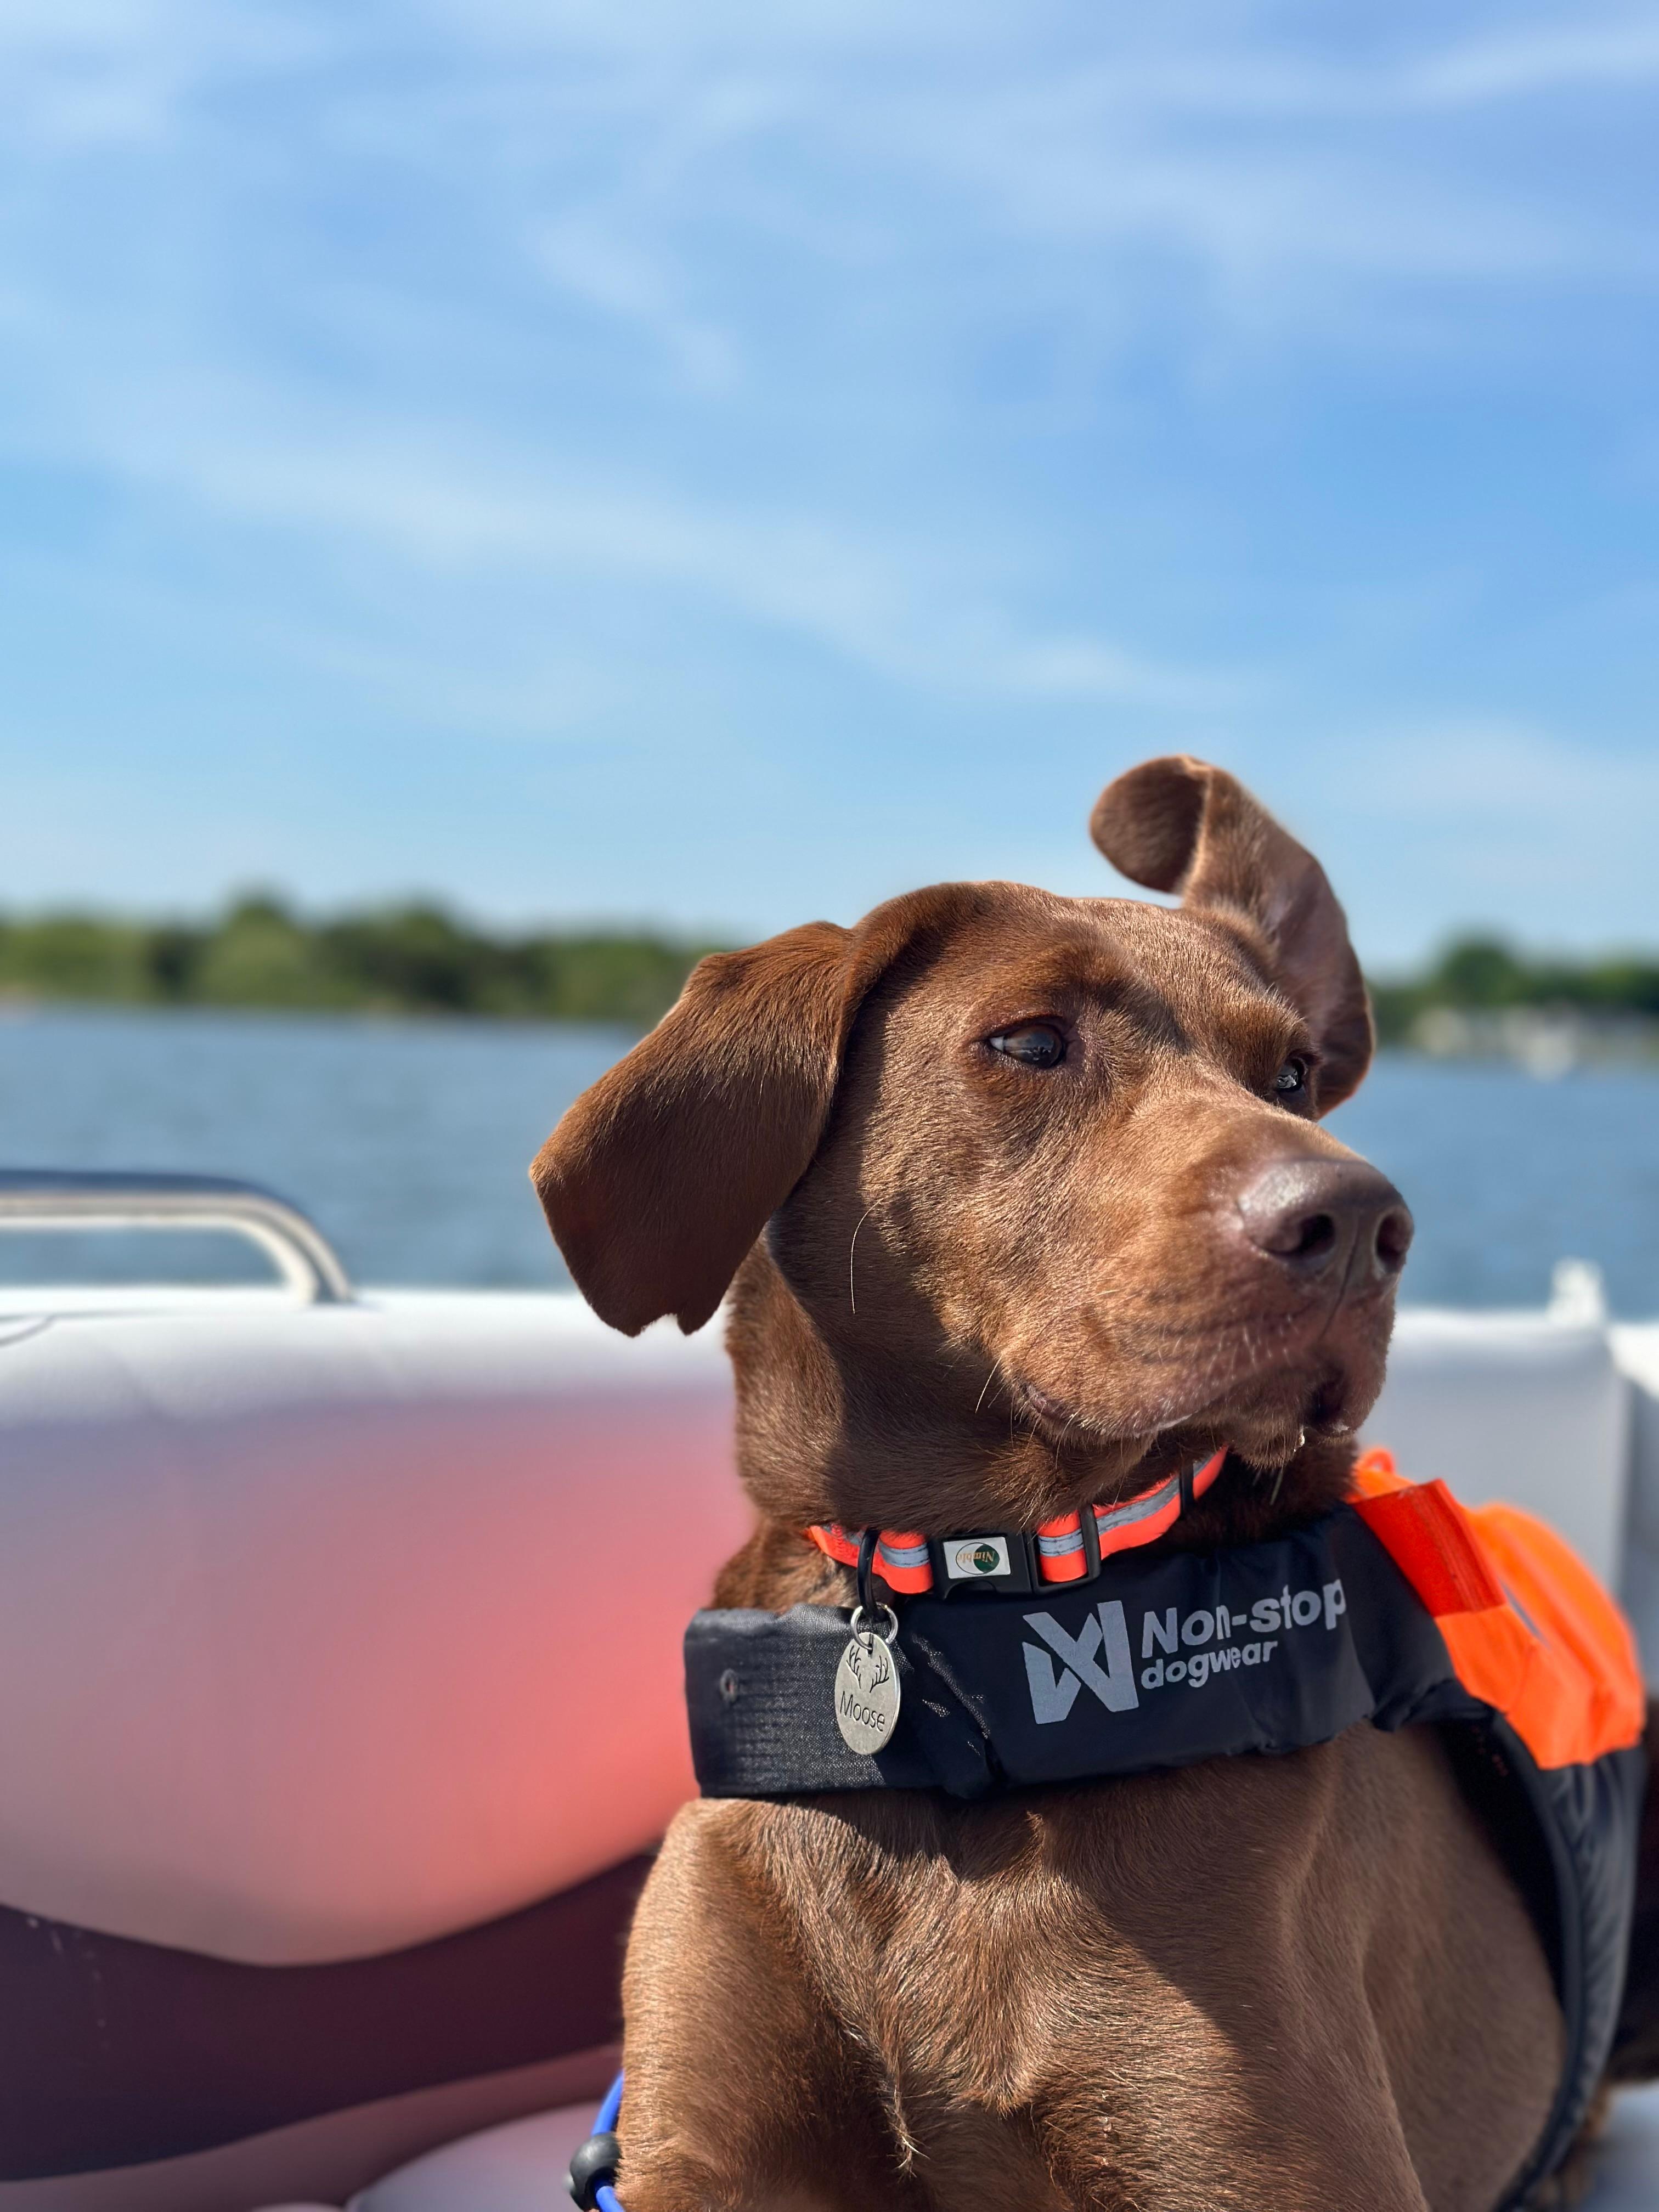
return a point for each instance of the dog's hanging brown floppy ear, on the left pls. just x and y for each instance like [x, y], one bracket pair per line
[662, 1176]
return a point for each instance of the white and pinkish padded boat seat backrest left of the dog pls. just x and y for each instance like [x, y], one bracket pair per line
[359, 1600]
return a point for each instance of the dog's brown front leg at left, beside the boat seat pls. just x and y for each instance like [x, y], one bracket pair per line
[744, 2096]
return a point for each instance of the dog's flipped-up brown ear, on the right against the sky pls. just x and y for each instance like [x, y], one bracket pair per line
[1185, 826]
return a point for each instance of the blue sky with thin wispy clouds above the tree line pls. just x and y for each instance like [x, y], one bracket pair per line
[731, 463]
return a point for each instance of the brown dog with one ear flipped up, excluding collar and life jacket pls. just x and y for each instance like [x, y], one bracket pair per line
[1023, 1204]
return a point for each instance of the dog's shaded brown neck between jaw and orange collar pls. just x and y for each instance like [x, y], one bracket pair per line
[899, 1446]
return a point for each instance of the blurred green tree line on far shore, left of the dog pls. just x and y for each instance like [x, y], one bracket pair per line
[410, 959]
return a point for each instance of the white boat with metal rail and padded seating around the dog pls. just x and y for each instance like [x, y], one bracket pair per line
[342, 1695]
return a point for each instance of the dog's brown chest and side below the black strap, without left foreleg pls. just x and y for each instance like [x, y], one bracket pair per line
[1277, 1970]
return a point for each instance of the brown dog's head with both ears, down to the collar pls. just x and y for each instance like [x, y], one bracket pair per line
[1025, 1198]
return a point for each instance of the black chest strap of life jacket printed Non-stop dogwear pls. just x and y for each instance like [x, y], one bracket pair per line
[1162, 1662]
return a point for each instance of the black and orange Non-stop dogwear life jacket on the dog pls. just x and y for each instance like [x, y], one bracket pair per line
[1397, 1609]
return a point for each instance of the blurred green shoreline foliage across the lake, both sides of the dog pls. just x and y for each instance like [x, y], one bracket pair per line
[419, 959]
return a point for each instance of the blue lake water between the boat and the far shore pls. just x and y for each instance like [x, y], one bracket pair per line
[408, 1145]
